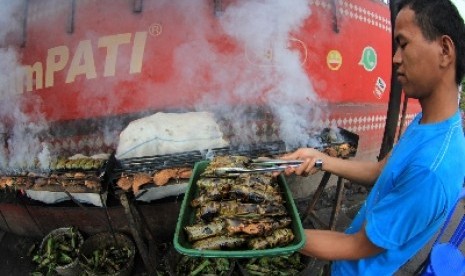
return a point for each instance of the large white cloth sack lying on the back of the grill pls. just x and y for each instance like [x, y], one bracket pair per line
[167, 133]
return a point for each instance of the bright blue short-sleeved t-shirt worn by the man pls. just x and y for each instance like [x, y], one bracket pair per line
[411, 198]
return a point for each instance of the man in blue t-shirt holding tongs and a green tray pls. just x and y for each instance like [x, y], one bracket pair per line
[418, 183]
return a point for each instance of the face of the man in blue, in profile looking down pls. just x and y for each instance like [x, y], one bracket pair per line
[417, 59]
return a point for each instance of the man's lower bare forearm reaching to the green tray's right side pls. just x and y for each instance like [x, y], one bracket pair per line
[332, 245]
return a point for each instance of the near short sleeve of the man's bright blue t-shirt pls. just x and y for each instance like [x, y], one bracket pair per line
[415, 203]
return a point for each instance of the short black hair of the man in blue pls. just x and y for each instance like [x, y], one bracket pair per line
[440, 17]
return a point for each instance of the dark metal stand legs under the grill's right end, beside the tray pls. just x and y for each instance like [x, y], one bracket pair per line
[316, 196]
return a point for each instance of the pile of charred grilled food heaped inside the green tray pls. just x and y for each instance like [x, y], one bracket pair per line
[245, 212]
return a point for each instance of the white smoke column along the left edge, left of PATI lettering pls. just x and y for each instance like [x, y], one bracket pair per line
[20, 130]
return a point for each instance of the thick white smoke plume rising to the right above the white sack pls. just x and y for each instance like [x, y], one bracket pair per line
[273, 75]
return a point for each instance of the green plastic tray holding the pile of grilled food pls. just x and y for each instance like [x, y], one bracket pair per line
[187, 214]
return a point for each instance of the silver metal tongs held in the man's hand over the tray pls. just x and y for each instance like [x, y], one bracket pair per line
[264, 164]
